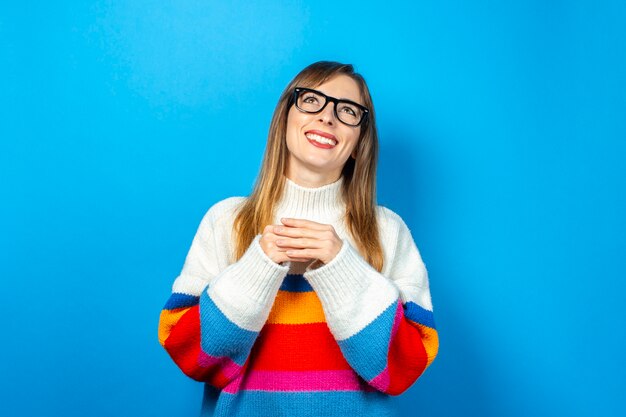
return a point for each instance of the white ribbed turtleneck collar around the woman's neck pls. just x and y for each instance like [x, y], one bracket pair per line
[321, 204]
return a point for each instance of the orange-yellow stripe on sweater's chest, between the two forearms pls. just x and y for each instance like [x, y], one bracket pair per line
[296, 308]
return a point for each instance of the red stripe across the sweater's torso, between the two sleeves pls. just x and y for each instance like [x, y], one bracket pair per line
[296, 347]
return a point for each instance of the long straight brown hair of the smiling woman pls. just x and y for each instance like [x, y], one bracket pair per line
[359, 173]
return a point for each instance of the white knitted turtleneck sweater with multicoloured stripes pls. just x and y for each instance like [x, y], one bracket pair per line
[274, 339]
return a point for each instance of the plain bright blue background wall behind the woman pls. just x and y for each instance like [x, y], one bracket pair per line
[503, 139]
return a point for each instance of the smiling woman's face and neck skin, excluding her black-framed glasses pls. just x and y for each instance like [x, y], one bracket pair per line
[311, 158]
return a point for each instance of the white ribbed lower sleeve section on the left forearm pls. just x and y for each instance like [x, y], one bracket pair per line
[245, 291]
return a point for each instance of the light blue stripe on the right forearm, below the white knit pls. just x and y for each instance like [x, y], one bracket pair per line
[366, 351]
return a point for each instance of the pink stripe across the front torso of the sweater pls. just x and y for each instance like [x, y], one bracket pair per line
[341, 380]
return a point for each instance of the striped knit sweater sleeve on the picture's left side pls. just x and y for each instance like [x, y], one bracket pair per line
[216, 311]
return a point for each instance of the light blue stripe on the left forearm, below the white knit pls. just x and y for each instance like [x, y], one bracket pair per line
[220, 336]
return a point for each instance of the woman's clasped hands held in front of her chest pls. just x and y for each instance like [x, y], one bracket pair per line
[299, 240]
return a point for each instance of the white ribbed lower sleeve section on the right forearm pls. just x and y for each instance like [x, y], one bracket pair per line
[352, 292]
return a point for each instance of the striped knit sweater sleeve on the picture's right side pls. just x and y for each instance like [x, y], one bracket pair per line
[383, 323]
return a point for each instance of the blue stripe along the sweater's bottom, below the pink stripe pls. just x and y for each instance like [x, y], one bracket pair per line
[302, 404]
